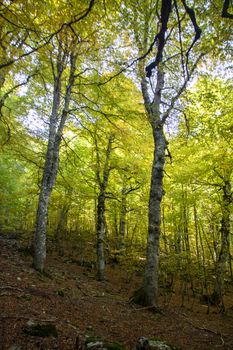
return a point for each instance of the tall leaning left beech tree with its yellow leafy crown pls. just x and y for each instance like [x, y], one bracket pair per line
[66, 47]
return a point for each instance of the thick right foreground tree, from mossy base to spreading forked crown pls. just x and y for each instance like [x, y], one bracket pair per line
[159, 105]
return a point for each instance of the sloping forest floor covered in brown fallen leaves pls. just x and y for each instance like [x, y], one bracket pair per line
[70, 298]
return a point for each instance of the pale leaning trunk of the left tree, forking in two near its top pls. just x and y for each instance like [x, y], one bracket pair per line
[56, 126]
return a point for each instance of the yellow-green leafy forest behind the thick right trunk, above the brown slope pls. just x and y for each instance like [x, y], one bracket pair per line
[76, 132]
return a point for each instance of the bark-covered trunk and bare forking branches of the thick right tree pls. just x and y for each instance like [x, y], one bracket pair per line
[148, 295]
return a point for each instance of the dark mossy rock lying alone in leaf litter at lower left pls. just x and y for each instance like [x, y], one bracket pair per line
[40, 330]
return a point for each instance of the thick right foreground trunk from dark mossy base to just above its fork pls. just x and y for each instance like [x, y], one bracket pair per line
[148, 294]
